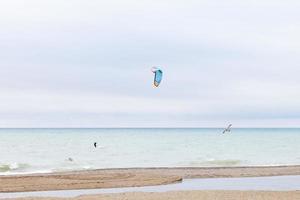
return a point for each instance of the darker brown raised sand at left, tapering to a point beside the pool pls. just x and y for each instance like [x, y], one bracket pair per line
[83, 180]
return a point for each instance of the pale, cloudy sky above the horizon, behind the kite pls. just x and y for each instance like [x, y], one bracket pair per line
[76, 63]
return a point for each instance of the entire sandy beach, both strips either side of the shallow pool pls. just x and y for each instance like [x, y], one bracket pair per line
[109, 178]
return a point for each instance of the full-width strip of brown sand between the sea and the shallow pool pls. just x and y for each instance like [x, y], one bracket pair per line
[131, 177]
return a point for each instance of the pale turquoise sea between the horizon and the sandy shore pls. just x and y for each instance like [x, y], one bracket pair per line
[47, 150]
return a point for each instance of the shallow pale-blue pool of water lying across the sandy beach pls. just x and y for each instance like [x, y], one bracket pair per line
[274, 183]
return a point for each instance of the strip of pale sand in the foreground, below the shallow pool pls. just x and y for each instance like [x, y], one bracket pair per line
[180, 195]
